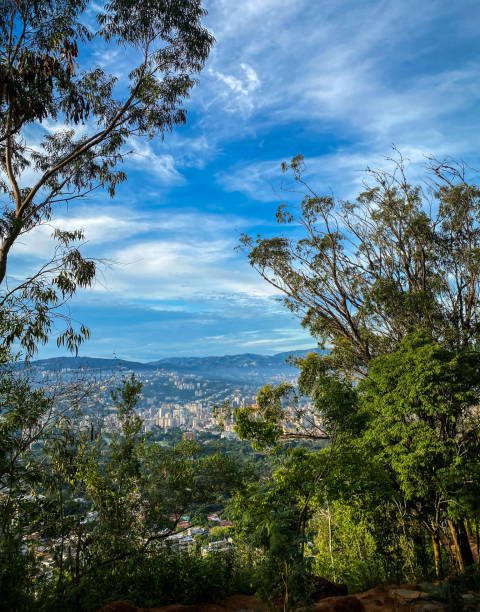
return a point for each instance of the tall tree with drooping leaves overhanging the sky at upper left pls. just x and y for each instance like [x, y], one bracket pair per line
[41, 42]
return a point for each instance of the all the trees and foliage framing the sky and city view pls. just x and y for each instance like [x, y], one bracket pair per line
[375, 482]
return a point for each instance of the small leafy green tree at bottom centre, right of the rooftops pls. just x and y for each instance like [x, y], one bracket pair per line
[271, 516]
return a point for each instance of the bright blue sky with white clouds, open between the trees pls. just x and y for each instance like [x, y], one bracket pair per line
[338, 81]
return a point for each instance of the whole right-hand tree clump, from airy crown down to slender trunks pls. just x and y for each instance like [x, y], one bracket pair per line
[390, 284]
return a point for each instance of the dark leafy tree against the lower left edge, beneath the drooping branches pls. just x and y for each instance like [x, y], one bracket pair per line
[37, 466]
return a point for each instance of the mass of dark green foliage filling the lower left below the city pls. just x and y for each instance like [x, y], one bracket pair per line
[79, 515]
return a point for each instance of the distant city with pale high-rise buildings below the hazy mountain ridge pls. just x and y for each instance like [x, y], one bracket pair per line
[170, 398]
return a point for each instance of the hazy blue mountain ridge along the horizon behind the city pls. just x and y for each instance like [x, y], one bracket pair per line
[226, 367]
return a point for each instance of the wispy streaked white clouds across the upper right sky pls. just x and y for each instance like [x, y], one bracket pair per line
[364, 71]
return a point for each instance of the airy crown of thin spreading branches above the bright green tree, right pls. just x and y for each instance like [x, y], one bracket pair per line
[364, 274]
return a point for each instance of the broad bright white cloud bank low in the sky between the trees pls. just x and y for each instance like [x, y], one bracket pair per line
[161, 255]
